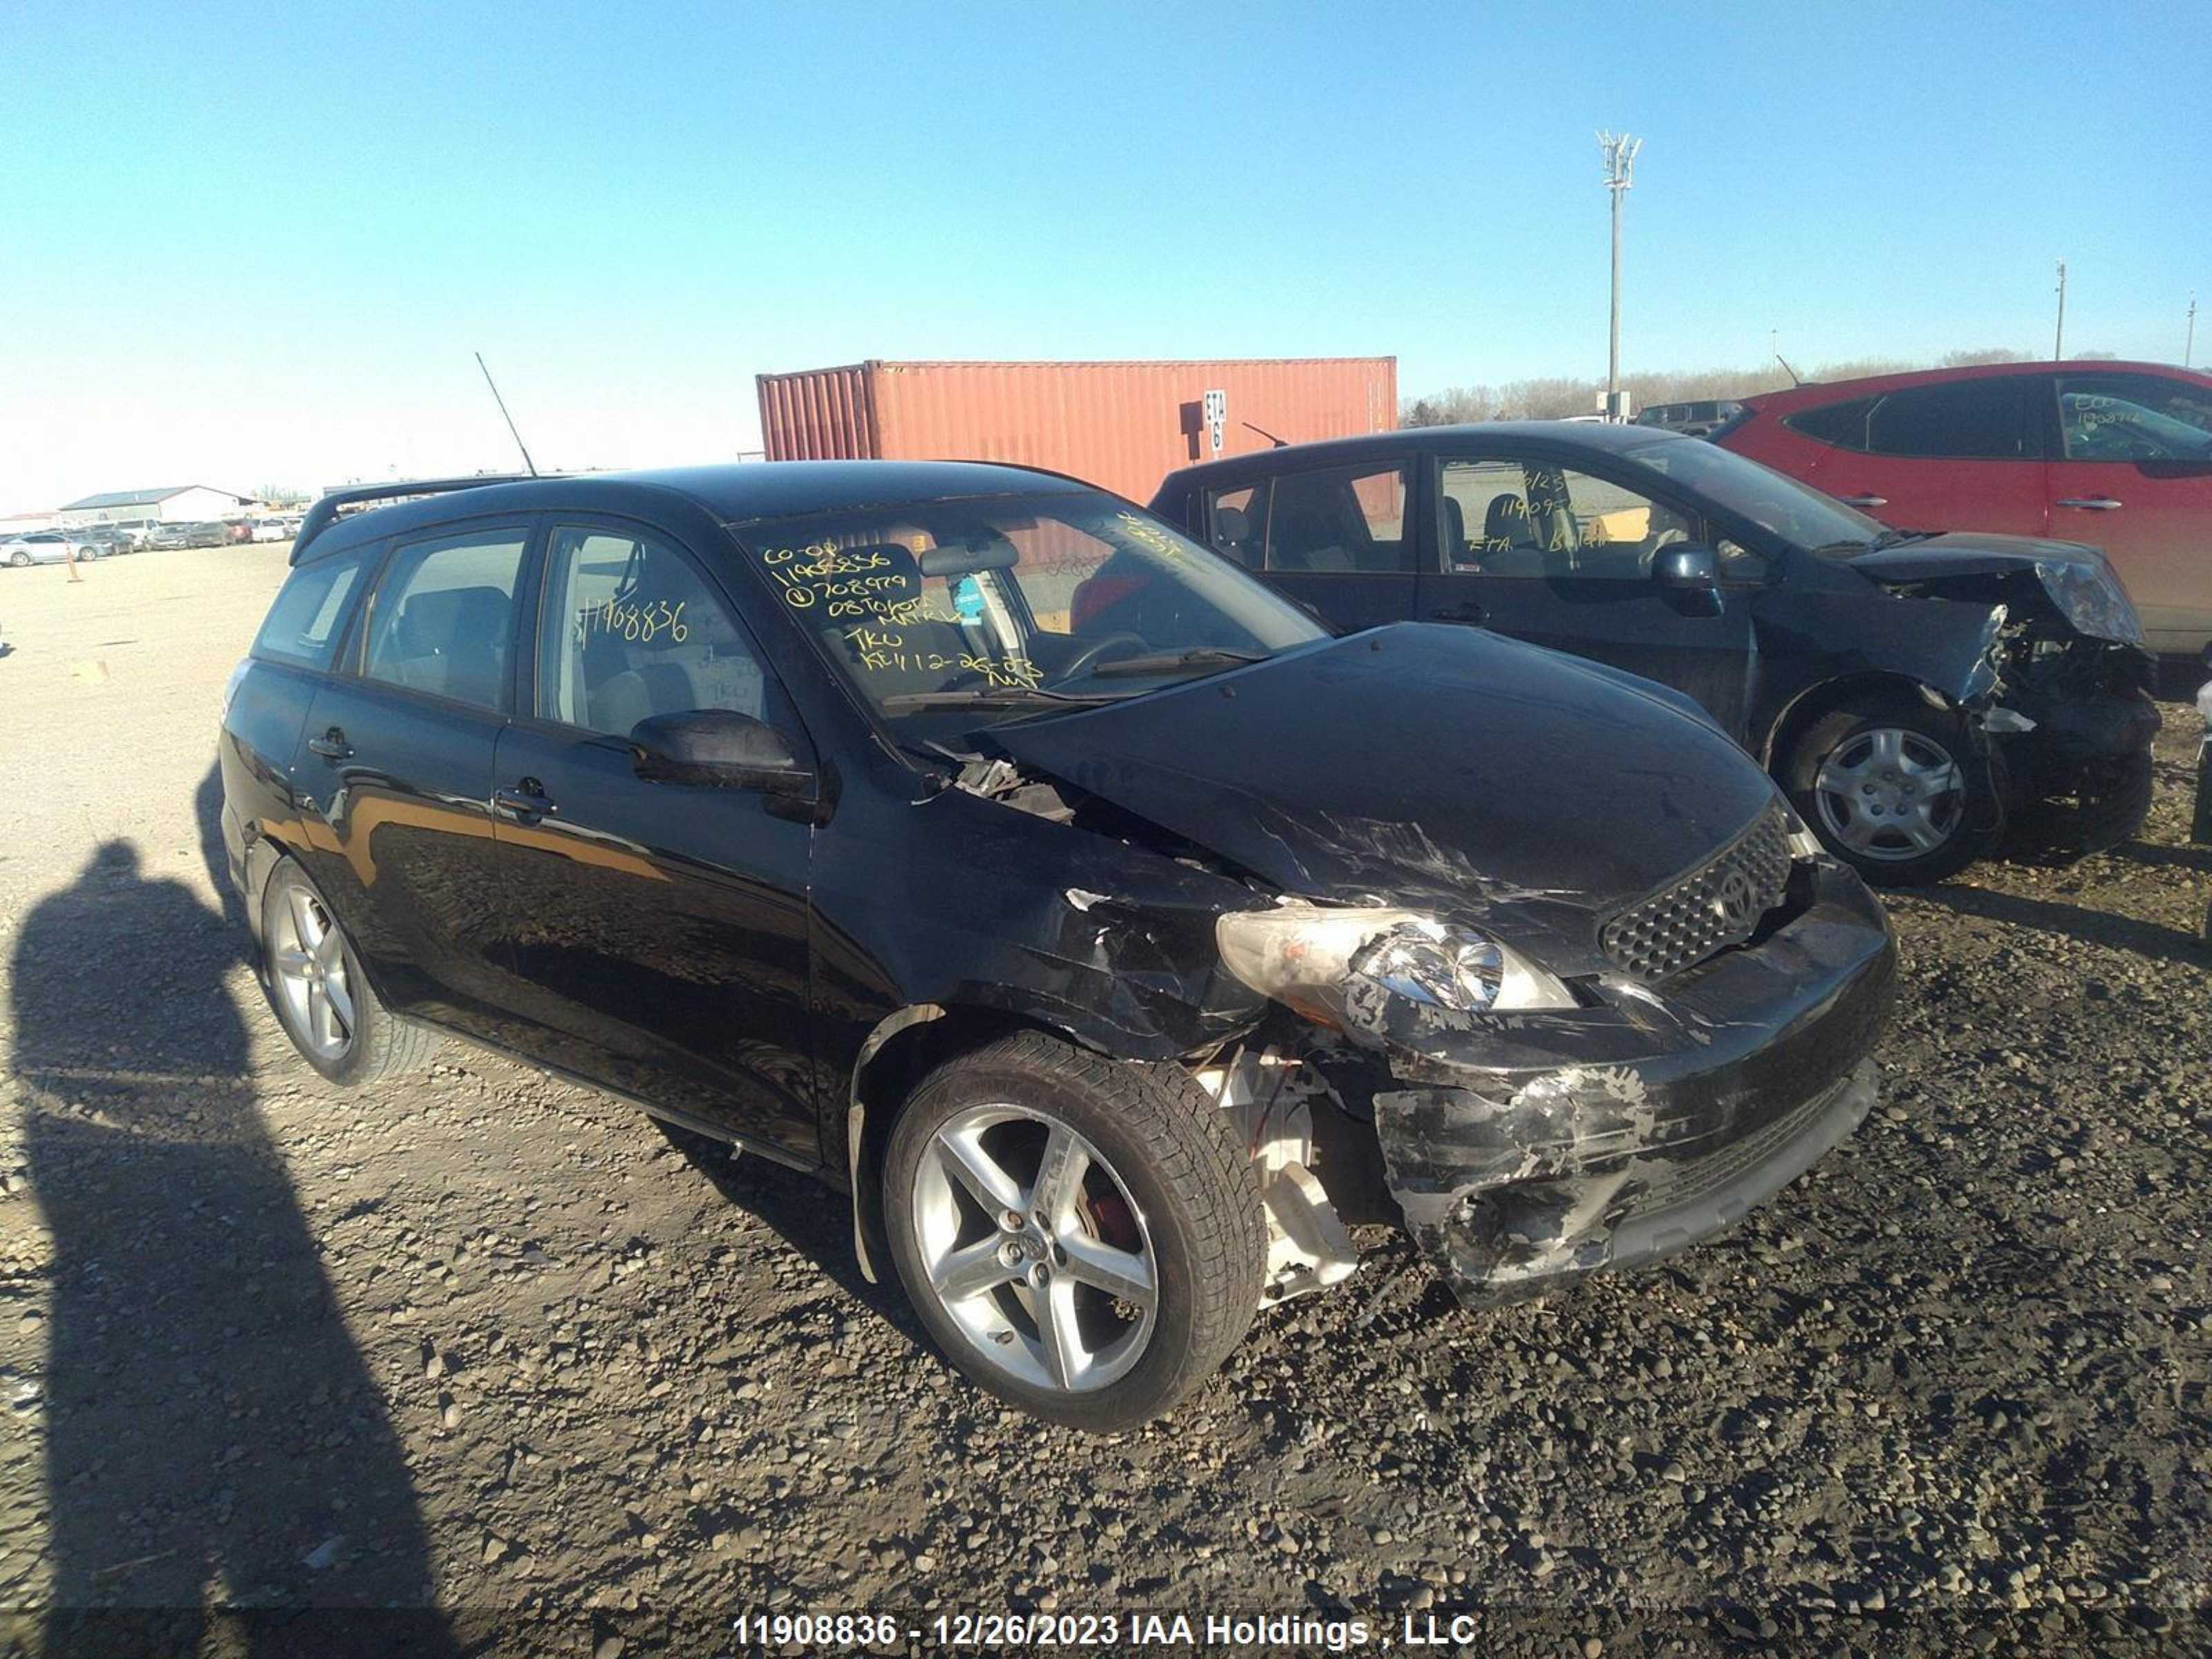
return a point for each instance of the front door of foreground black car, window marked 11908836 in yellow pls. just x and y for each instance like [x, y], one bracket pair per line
[658, 930]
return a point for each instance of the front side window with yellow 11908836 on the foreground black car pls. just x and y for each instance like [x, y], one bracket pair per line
[632, 632]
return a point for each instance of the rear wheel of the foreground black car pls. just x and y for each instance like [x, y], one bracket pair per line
[324, 1001]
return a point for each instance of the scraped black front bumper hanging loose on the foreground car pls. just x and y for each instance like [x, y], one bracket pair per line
[1536, 1149]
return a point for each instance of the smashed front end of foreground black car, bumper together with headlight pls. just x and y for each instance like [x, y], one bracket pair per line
[1538, 1129]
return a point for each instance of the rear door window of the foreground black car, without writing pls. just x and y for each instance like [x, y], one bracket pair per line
[444, 616]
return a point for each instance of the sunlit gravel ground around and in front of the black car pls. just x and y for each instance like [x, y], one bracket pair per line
[494, 1346]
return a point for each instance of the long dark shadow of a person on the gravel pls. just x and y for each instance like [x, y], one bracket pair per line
[220, 1463]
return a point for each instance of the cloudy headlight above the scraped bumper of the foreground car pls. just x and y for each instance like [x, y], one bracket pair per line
[1339, 966]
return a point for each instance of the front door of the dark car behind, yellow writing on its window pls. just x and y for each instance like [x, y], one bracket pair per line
[1567, 556]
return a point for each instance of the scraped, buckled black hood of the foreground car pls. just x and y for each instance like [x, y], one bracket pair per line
[1426, 766]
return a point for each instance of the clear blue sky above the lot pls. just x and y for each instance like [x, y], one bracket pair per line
[260, 244]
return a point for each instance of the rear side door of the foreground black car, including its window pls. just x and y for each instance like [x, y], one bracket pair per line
[395, 771]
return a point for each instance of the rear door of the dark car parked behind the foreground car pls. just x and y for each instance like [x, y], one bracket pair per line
[1339, 541]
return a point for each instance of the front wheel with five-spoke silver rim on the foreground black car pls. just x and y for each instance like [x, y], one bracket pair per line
[1083, 1238]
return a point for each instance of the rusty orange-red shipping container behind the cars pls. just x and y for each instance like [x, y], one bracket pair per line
[1116, 424]
